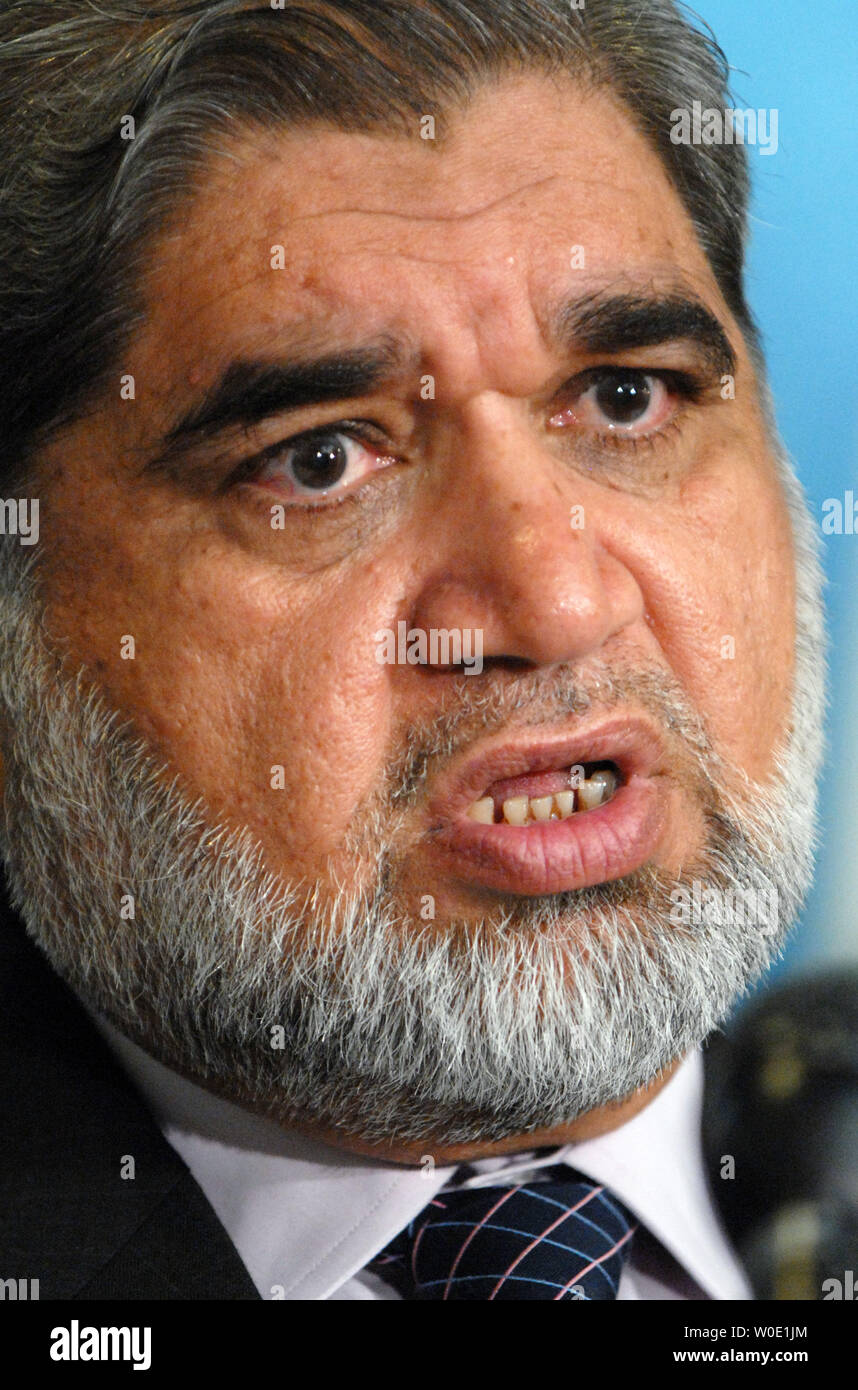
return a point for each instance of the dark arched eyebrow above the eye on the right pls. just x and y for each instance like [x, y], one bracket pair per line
[621, 323]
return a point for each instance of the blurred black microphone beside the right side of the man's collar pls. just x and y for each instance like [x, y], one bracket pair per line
[781, 1138]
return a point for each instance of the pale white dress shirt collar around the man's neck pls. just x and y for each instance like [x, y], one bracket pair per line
[307, 1218]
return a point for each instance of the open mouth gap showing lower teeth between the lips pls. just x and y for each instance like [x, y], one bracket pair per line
[537, 799]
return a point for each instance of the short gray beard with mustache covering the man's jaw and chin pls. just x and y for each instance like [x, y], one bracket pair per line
[347, 1013]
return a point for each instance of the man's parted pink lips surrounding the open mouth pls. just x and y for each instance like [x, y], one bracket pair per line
[557, 857]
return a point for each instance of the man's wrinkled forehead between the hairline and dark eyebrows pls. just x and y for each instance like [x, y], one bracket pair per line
[537, 191]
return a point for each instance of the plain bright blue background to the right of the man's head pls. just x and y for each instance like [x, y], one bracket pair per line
[802, 58]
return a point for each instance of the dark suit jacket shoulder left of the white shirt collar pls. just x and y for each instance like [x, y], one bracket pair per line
[67, 1118]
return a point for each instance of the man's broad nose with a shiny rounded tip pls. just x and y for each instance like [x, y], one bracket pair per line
[517, 550]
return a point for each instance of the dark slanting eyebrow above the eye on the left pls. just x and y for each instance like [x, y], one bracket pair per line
[250, 393]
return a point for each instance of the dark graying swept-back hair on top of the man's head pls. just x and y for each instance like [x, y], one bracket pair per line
[84, 190]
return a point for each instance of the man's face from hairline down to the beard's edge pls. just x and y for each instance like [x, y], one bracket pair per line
[519, 433]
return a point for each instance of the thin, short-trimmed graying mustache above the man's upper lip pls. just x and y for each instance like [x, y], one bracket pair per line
[543, 698]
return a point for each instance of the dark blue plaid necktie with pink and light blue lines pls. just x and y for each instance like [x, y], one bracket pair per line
[557, 1239]
